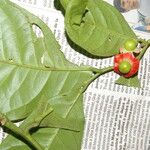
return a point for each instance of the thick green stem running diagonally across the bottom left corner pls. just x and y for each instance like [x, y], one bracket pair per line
[5, 122]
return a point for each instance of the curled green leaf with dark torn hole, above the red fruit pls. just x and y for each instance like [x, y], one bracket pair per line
[96, 26]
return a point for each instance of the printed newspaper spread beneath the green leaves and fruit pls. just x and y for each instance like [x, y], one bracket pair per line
[117, 117]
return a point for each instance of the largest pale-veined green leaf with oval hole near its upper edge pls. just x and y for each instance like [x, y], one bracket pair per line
[28, 70]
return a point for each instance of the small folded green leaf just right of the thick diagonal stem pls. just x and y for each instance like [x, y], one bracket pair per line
[44, 116]
